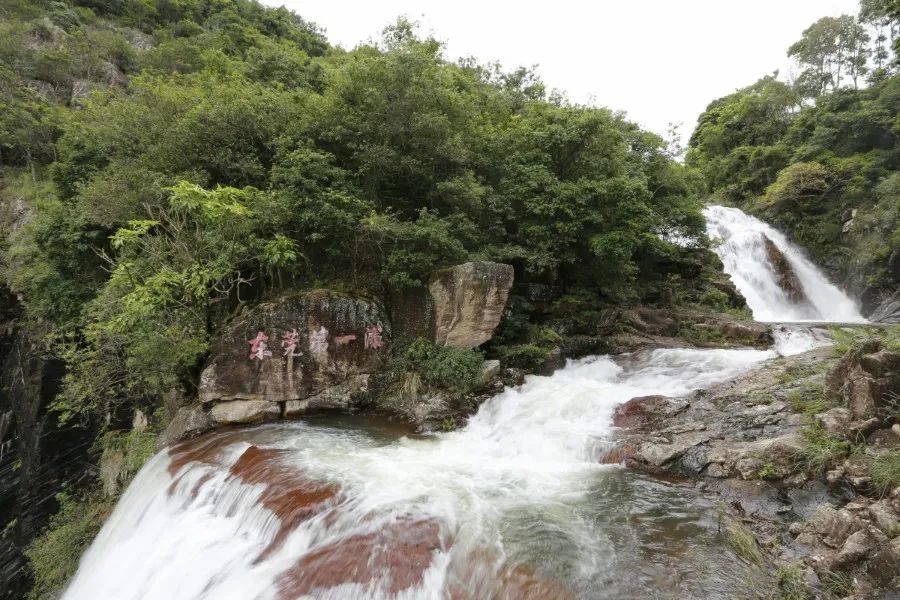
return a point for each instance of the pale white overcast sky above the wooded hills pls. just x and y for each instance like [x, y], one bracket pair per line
[660, 61]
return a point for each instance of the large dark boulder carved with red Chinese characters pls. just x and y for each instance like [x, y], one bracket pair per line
[299, 348]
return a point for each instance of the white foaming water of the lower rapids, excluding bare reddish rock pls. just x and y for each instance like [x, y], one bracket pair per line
[528, 459]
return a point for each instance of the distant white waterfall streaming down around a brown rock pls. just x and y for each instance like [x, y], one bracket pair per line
[741, 244]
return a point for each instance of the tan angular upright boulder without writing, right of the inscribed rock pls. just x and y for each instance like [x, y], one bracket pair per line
[469, 301]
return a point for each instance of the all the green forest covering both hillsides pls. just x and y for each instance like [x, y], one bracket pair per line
[164, 162]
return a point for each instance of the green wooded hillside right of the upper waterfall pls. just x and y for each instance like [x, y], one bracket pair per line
[818, 156]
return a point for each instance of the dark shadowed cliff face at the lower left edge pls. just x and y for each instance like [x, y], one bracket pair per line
[37, 457]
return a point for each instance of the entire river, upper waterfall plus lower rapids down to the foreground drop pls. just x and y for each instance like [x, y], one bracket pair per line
[515, 505]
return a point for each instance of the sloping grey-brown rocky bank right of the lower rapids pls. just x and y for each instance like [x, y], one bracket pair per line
[748, 440]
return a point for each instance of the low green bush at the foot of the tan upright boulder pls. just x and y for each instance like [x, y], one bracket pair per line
[453, 369]
